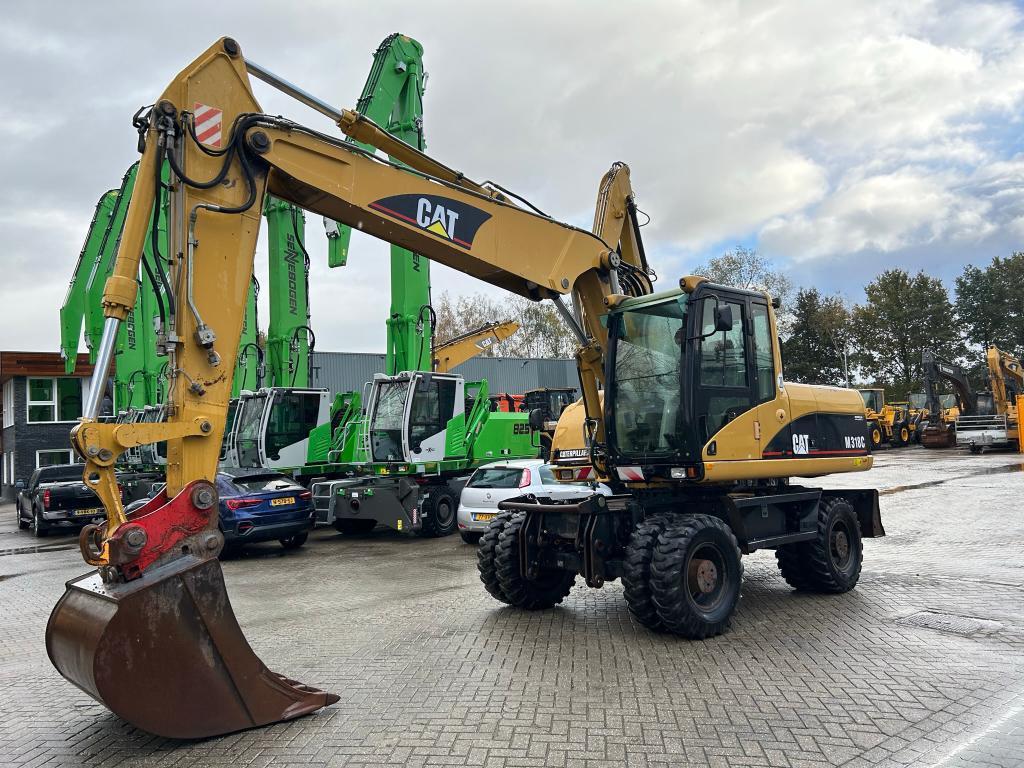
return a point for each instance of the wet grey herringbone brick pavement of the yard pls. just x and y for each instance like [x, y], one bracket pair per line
[923, 665]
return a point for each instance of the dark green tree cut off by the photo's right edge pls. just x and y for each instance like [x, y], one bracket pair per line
[991, 306]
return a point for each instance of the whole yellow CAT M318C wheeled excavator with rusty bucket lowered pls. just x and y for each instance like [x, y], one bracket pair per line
[699, 434]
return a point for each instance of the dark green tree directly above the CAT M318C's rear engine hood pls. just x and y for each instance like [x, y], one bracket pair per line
[818, 350]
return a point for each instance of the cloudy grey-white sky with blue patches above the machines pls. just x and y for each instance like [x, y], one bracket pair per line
[839, 140]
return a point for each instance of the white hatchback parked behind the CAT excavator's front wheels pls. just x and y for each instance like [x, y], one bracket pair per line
[506, 480]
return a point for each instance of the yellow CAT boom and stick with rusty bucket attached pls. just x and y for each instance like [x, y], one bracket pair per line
[155, 616]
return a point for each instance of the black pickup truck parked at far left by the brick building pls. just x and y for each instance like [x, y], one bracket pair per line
[57, 498]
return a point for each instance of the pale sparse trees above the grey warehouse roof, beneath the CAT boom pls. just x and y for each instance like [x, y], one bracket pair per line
[542, 332]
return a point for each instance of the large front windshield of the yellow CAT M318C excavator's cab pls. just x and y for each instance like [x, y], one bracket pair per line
[650, 345]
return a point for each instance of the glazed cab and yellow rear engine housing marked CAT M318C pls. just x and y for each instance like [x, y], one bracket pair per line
[695, 381]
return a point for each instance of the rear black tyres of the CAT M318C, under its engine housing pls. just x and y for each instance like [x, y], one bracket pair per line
[832, 563]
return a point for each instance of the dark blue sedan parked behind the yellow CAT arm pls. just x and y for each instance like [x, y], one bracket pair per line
[262, 506]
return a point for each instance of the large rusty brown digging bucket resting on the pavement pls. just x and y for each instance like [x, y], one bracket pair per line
[166, 654]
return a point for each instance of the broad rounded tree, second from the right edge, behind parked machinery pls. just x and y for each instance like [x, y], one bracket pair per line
[901, 318]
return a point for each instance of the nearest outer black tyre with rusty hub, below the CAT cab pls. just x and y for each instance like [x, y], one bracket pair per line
[696, 577]
